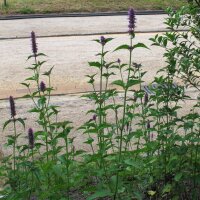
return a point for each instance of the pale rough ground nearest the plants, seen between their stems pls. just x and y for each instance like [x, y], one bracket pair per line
[72, 108]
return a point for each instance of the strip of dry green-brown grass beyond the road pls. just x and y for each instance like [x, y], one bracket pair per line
[59, 6]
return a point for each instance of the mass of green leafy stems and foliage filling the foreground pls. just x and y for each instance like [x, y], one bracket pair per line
[142, 146]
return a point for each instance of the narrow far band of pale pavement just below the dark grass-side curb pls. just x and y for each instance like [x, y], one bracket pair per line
[78, 25]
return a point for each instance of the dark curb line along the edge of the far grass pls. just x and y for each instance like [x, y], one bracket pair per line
[96, 14]
